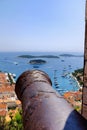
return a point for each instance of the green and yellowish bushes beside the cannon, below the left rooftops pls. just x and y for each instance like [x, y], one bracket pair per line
[15, 121]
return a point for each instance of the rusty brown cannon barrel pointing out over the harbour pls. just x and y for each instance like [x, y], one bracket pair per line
[43, 108]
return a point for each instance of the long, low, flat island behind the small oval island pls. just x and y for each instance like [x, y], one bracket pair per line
[42, 56]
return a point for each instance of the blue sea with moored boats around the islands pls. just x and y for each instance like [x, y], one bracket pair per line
[58, 69]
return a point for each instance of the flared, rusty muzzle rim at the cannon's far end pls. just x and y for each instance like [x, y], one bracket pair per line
[29, 77]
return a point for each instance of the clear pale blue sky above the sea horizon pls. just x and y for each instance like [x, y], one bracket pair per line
[42, 25]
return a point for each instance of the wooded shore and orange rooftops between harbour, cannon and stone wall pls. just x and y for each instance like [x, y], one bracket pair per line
[75, 98]
